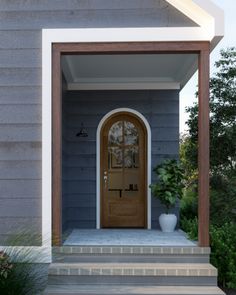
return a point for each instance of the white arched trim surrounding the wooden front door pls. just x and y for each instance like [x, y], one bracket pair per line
[98, 162]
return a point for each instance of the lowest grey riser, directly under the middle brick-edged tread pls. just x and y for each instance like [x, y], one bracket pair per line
[141, 280]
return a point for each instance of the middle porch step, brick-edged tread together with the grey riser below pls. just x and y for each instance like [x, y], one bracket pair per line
[133, 273]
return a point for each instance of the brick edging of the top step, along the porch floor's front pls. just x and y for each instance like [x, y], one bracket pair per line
[138, 250]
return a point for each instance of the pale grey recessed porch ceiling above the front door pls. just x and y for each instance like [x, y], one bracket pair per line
[135, 71]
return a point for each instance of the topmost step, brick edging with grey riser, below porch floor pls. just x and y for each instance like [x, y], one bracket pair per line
[131, 254]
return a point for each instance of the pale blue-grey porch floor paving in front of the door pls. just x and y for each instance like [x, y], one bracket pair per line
[126, 237]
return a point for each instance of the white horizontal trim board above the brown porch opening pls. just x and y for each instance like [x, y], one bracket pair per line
[148, 34]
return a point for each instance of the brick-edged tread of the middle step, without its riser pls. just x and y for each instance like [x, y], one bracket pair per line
[145, 269]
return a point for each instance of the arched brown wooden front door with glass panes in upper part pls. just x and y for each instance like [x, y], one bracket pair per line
[123, 172]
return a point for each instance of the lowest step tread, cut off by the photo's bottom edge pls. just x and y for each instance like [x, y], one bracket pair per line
[132, 290]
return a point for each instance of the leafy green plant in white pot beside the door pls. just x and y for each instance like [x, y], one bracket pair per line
[168, 189]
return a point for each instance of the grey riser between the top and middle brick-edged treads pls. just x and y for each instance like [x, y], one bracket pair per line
[71, 258]
